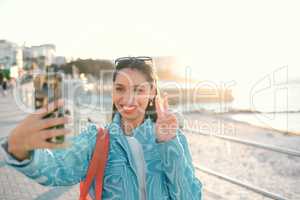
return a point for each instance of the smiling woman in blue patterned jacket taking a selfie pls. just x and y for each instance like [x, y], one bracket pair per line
[148, 157]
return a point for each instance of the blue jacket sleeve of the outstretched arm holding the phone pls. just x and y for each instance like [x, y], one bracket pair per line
[58, 167]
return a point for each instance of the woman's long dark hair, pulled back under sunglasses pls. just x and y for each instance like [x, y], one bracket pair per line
[150, 74]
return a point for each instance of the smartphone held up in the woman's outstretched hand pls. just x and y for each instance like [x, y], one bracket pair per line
[48, 88]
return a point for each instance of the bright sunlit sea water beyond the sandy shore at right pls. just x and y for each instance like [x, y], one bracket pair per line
[277, 108]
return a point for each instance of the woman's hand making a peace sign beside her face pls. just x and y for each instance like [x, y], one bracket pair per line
[166, 123]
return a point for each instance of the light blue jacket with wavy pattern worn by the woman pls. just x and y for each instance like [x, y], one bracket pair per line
[169, 170]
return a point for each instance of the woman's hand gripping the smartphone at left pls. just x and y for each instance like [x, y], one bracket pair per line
[32, 133]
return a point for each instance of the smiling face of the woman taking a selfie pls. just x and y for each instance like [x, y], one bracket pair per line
[131, 94]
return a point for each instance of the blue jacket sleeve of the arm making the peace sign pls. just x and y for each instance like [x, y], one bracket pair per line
[177, 163]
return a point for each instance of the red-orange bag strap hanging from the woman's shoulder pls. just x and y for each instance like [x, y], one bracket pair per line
[96, 167]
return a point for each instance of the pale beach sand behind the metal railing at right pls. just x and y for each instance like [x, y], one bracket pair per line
[275, 172]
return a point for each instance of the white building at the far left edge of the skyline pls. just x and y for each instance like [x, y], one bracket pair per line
[11, 55]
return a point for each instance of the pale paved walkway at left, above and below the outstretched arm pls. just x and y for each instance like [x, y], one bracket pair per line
[14, 185]
